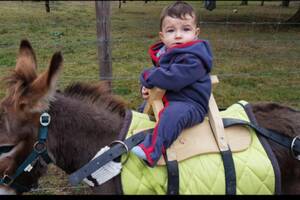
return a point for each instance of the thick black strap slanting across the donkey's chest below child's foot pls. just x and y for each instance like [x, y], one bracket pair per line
[114, 152]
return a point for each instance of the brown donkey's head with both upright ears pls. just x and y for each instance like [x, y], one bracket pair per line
[28, 94]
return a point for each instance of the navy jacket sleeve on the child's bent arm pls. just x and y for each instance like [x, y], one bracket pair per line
[185, 70]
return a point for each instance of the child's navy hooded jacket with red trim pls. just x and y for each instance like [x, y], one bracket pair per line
[183, 71]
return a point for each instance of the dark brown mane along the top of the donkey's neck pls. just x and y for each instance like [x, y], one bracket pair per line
[97, 94]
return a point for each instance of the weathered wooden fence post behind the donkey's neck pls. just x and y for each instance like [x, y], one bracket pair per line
[103, 39]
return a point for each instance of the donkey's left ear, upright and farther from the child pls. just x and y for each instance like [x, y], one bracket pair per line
[26, 62]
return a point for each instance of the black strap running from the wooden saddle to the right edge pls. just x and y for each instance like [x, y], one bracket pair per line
[292, 143]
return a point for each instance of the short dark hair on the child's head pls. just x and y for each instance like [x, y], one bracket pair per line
[178, 9]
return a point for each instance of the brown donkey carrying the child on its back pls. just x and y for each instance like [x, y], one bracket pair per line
[85, 118]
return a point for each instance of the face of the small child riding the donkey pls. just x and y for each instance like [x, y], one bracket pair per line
[178, 31]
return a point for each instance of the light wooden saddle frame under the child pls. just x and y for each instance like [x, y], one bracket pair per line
[218, 139]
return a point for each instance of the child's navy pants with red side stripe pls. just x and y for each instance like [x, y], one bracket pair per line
[175, 117]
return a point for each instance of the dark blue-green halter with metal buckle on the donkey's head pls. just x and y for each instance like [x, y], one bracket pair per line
[39, 149]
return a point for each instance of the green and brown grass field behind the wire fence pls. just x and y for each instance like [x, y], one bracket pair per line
[257, 56]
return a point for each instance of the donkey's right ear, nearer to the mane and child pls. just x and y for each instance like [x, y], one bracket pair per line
[42, 90]
